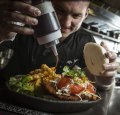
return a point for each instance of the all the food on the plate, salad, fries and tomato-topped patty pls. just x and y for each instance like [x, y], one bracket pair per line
[71, 84]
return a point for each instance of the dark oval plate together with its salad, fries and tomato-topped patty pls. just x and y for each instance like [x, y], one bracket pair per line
[45, 90]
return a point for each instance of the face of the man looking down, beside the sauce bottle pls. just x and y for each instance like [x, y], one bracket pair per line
[71, 14]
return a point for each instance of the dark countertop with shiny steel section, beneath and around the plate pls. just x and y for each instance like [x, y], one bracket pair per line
[110, 105]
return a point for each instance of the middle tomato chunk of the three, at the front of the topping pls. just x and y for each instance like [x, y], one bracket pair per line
[75, 89]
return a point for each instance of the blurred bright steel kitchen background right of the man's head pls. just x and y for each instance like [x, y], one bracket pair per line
[104, 23]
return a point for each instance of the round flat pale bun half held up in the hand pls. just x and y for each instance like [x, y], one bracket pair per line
[94, 56]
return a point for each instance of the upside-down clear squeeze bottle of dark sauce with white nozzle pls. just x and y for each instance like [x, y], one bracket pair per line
[48, 29]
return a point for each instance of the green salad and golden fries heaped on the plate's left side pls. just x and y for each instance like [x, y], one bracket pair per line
[31, 83]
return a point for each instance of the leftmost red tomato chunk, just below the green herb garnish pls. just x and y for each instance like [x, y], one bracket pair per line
[64, 81]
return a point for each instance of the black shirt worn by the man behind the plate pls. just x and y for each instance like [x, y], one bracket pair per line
[29, 55]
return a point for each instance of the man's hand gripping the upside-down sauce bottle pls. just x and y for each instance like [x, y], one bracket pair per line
[12, 11]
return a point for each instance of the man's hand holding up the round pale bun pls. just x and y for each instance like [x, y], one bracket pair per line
[110, 69]
